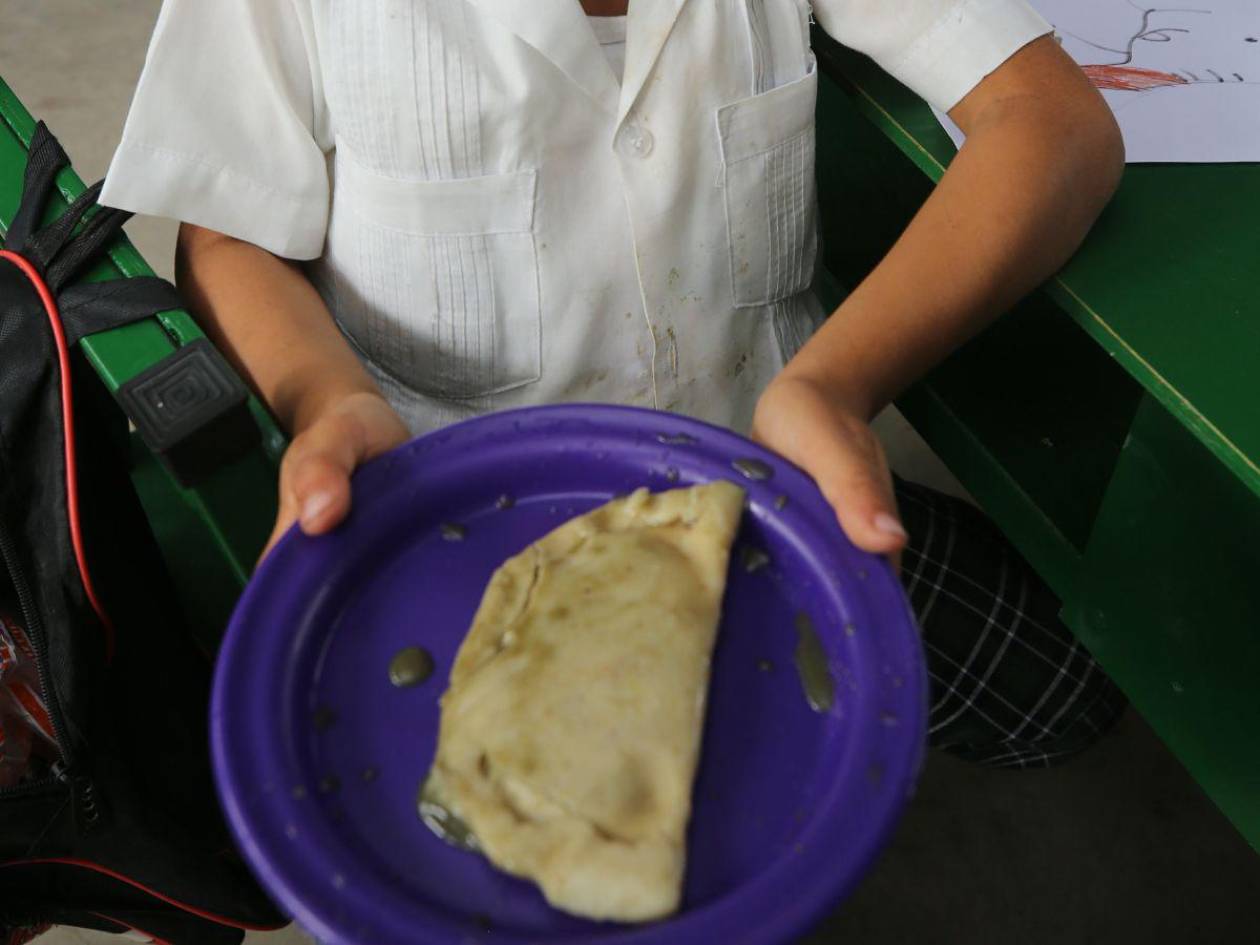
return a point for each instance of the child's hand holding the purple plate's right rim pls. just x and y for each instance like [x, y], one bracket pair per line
[812, 427]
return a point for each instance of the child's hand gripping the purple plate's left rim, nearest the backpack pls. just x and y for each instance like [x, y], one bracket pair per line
[316, 473]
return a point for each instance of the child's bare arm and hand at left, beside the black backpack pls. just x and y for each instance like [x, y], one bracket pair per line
[268, 318]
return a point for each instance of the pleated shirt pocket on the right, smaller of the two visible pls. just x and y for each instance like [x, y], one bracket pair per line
[768, 182]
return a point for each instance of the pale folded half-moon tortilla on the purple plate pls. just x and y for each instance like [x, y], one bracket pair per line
[571, 729]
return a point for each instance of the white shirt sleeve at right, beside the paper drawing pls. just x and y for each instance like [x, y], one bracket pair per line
[939, 49]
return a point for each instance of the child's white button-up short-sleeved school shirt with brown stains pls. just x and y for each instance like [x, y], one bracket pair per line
[493, 216]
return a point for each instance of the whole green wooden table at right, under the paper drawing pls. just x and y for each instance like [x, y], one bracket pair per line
[1111, 424]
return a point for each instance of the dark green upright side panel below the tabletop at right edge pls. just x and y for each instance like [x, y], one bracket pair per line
[1169, 603]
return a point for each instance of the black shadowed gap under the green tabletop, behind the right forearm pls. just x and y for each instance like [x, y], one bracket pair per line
[1034, 440]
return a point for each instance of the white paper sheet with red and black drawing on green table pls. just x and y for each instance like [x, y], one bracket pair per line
[1183, 80]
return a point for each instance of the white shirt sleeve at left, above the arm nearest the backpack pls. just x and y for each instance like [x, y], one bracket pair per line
[227, 128]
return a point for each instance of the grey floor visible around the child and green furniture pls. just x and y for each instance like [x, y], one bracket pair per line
[1120, 847]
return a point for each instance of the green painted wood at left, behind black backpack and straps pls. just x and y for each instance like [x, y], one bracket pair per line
[226, 520]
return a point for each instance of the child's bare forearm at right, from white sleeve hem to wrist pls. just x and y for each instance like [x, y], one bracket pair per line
[1041, 159]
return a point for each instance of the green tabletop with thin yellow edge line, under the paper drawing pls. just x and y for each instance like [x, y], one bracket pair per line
[1166, 283]
